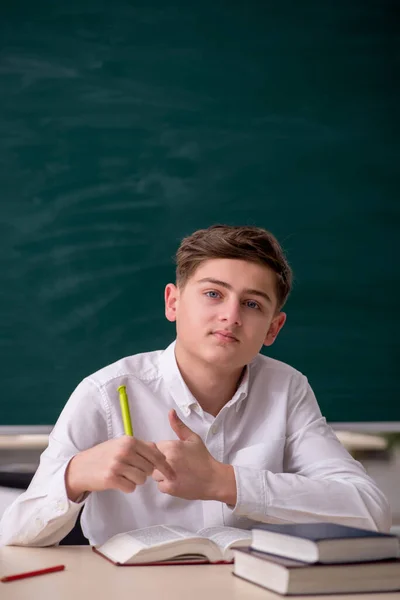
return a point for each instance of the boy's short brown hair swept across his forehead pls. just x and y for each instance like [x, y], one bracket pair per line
[254, 244]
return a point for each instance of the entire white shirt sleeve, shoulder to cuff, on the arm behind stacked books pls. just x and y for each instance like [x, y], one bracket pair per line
[320, 482]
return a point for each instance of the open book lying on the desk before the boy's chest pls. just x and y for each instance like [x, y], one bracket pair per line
[172, 544]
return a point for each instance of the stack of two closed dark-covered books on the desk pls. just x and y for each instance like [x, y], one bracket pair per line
[320, 558]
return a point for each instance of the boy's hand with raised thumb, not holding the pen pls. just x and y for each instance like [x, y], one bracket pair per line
[198, 475]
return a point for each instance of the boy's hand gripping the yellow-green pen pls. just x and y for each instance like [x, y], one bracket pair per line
[119, 464]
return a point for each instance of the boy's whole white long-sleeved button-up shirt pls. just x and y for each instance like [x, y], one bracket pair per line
[289, 465]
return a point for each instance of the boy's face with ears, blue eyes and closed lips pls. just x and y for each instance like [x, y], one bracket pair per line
[226, 312]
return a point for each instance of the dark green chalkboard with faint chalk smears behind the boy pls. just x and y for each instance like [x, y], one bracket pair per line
[126, 125]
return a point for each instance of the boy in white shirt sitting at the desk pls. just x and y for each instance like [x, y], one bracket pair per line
[223, 435]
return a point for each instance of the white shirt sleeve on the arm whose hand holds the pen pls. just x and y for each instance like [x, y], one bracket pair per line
[43, 514]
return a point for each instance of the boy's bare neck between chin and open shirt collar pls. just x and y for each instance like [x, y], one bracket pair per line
[211, 387]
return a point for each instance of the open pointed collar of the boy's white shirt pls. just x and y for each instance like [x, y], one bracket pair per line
[181, 394]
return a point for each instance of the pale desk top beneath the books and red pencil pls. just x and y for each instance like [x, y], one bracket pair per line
[89, 576]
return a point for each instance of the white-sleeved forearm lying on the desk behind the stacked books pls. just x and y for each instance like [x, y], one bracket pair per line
[350, 500]
